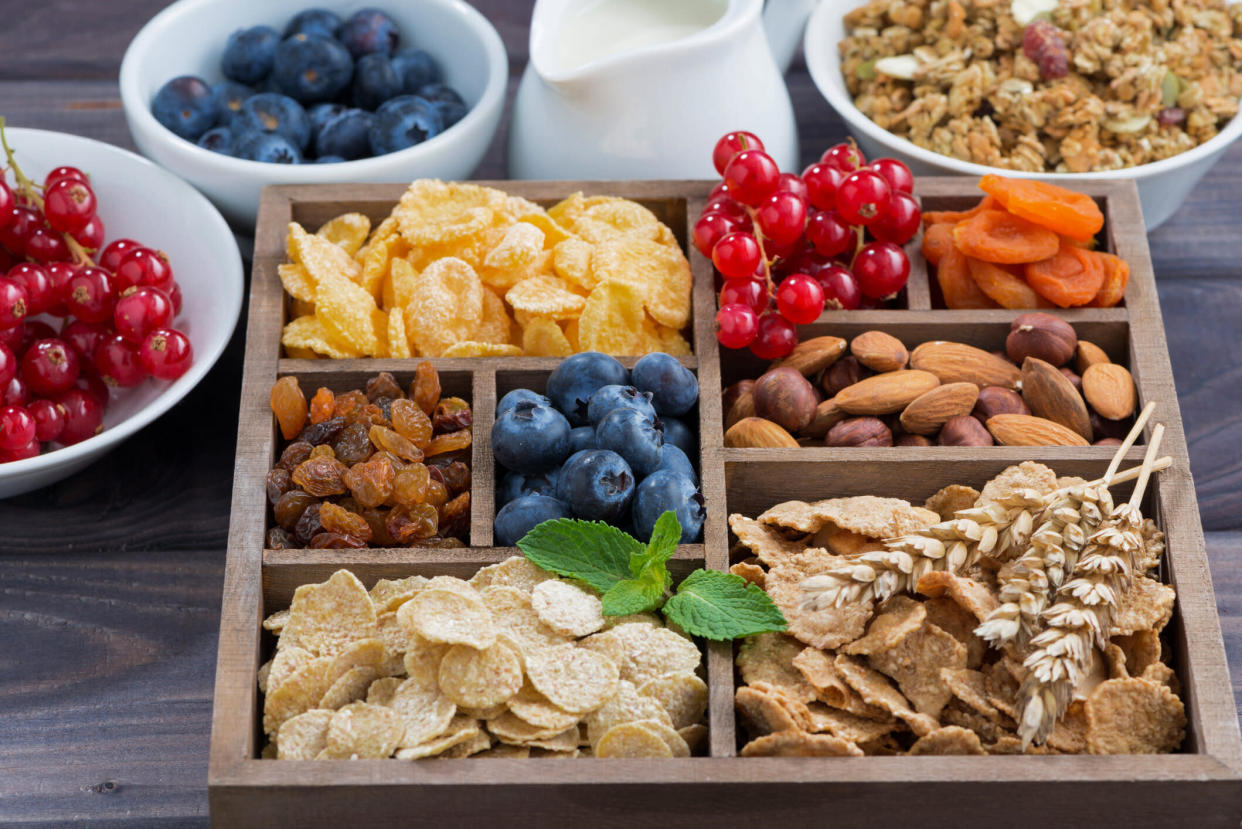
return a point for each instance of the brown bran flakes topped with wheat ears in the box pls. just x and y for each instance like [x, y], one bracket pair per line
[937, 641]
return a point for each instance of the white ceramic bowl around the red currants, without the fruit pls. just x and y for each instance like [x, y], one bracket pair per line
[140, 201]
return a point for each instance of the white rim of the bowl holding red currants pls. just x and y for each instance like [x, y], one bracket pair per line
[229, 294]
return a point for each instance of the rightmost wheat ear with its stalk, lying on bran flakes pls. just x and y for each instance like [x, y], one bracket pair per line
[1084, 613]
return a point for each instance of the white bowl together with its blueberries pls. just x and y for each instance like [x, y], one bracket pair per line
[233, 95]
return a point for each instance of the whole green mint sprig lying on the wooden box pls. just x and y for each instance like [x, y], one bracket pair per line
[634, 577]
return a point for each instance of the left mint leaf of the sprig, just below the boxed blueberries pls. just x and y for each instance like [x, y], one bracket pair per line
[589, 551]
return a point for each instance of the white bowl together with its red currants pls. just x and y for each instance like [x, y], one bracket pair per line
[120, 289]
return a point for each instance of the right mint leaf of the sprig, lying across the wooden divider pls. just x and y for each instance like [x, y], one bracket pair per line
[722, 606]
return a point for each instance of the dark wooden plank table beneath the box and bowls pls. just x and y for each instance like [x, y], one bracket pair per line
[110, 584]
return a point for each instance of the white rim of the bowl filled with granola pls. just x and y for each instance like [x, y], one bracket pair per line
[820, 54]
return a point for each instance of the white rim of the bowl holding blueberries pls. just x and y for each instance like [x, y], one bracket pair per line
[138, 111]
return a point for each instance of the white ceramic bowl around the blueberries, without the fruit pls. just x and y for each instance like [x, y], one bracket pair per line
[189, 37]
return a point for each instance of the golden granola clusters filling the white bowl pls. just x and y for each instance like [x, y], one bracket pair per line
[1090, 85]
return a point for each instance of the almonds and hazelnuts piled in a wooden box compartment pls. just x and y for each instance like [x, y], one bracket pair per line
[1046, 388]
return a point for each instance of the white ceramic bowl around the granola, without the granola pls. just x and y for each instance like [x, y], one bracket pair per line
[1163, 186]
